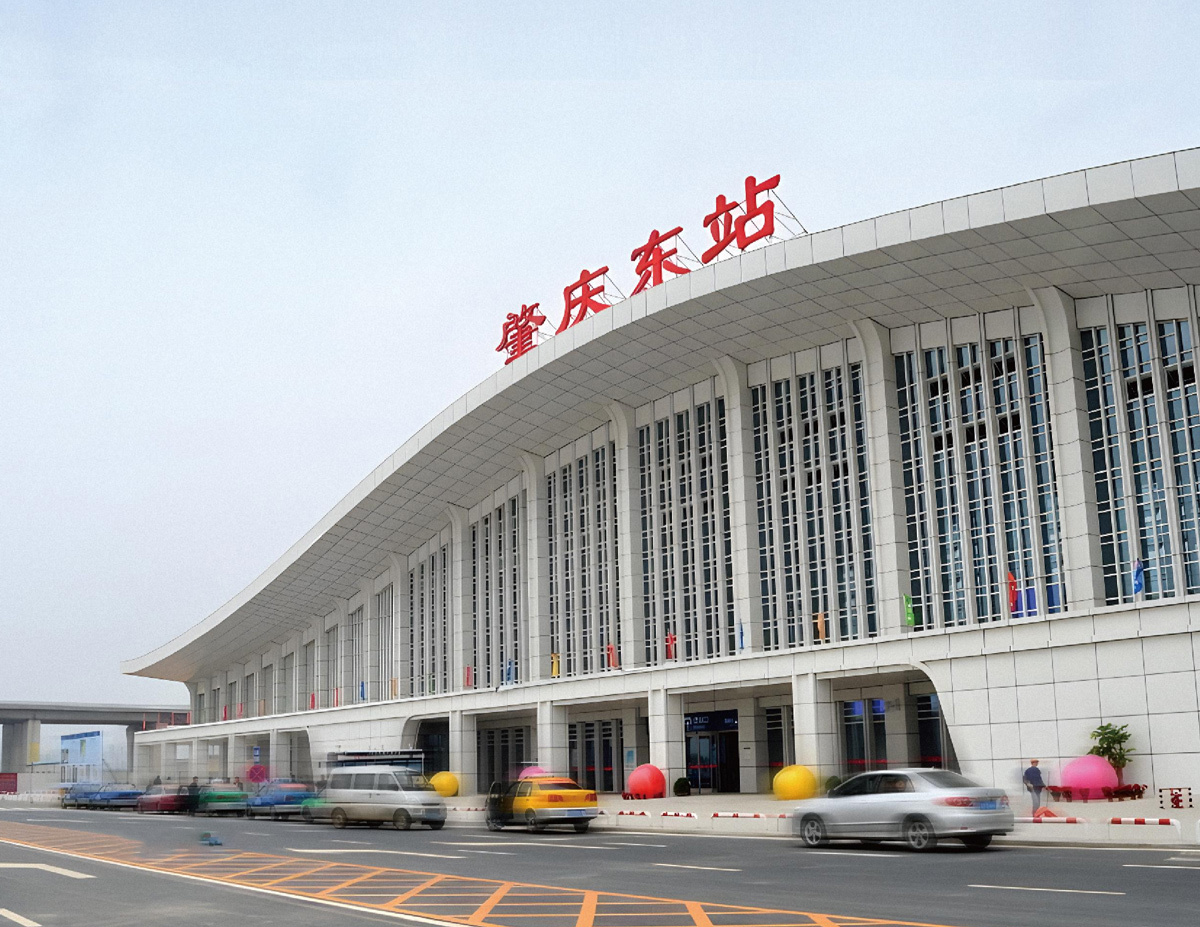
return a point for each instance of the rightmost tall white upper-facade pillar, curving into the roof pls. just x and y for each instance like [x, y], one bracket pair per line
[1075, 477]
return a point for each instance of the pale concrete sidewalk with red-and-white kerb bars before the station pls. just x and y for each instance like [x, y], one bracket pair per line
[764, 816]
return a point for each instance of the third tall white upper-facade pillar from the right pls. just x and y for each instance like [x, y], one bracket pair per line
[740, 433]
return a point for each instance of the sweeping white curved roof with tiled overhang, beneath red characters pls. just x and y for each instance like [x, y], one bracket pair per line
[1123, 228]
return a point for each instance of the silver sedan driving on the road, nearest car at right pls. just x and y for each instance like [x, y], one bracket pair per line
[915, 806]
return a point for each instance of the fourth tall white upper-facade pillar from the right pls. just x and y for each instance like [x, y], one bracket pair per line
[629, 561]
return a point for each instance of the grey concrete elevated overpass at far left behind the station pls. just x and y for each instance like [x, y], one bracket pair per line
[21, 723]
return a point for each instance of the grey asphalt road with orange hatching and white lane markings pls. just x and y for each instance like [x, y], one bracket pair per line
[1004, 887]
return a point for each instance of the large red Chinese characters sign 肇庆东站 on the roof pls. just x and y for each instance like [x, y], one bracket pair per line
[731, 223]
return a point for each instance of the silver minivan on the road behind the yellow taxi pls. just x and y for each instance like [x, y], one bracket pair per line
[379, 794]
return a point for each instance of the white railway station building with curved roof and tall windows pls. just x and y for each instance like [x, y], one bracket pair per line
[920, 491]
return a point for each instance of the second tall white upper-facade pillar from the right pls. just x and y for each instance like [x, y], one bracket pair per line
[892, 579]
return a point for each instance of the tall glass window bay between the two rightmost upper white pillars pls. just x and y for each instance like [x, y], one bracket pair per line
[981, 506]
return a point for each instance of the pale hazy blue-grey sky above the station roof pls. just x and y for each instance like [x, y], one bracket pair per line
[247, 250]
